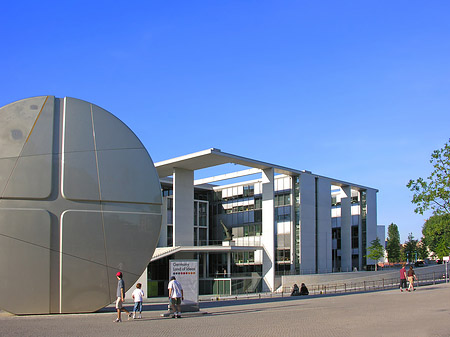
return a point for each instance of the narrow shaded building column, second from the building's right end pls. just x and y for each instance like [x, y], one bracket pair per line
[346, 229]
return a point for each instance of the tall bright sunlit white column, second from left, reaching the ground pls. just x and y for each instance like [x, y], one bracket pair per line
[268, 229]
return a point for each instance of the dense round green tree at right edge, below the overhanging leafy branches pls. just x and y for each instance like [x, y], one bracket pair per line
[436, 233]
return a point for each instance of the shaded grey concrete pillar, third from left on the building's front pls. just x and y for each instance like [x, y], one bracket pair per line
[307, 224]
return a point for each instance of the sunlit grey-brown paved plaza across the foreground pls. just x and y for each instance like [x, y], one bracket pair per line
[425, 312]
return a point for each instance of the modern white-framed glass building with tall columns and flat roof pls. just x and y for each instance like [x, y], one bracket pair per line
[249, 227]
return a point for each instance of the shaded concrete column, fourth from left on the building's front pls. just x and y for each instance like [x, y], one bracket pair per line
[324, 250]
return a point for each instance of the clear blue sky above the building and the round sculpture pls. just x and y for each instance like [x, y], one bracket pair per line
[354, 90]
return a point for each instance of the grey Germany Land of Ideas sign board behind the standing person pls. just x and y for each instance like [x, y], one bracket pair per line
[186, 272]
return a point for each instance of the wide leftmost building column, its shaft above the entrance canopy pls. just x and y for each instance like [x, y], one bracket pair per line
[183, 207]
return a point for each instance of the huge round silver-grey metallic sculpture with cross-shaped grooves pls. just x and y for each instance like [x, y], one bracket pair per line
[80, 199]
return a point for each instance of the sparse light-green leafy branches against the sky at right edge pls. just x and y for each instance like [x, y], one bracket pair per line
[434, 192]
